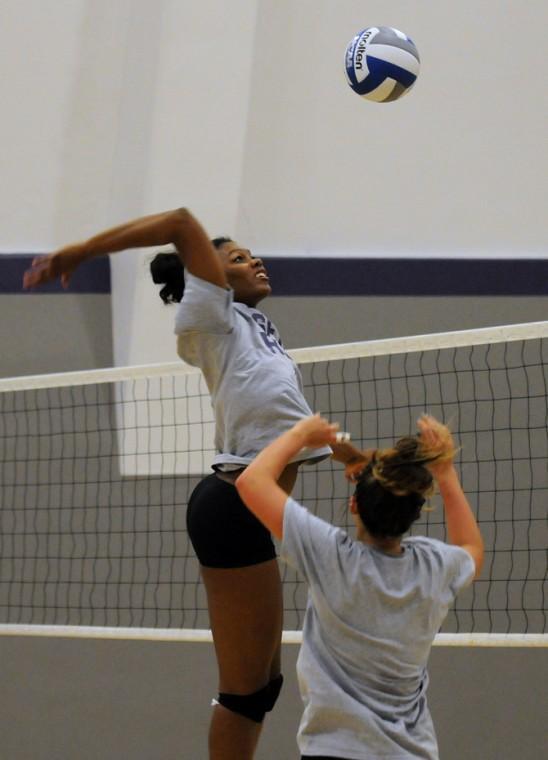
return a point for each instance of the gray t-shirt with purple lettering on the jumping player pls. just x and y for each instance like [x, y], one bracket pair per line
[256, 388]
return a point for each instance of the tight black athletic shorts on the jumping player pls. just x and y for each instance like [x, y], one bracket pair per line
[224, 533]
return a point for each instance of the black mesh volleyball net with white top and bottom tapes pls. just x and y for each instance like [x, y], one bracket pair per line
[97, 468]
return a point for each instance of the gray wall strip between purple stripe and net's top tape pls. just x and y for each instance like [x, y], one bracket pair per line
[63, 333]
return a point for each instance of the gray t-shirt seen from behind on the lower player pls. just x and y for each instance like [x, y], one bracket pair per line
[370, 621]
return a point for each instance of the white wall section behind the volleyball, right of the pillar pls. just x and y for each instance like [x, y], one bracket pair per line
[460, 163]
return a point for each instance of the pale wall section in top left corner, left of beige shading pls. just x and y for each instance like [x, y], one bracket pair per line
[38, 59]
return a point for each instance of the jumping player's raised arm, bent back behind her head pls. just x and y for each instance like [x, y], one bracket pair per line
[177, 227]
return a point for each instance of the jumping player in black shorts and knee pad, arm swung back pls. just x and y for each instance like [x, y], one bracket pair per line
[256, 393]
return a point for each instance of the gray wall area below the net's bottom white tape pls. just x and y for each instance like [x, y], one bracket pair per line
[106, 700]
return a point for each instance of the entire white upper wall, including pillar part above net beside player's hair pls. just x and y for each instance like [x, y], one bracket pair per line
[240, 110]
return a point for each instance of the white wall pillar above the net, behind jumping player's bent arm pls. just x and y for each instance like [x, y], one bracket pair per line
[197, 144]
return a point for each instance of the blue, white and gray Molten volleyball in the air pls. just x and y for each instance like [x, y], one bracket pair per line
[381, 63]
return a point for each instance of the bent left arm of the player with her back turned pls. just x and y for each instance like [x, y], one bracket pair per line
[258, 484]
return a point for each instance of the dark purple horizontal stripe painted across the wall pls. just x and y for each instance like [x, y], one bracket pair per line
[339, 277]
